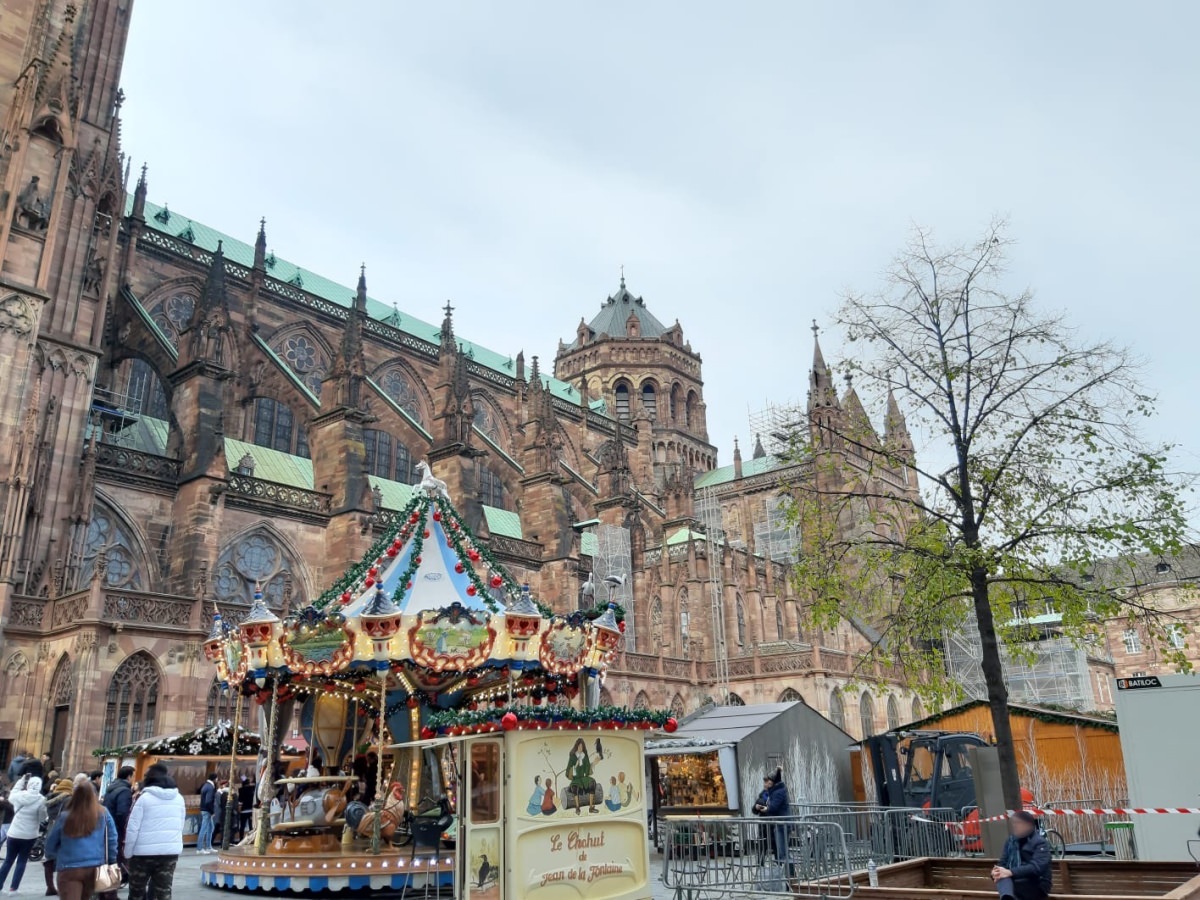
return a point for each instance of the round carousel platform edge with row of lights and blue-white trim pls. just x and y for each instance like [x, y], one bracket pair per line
[344, 869]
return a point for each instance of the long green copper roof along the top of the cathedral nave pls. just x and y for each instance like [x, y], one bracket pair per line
[172, 224]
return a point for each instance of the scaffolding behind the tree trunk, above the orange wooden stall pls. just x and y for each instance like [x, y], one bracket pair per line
[1047, 669]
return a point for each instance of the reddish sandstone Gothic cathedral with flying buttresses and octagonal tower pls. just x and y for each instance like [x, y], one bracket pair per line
[187, 417]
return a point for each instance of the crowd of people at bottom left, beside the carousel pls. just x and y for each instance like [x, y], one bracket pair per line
[140, 831]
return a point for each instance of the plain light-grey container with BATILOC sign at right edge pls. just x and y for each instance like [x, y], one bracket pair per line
[1160, 719]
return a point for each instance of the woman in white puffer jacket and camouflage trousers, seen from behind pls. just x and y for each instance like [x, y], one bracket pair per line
[154, 837]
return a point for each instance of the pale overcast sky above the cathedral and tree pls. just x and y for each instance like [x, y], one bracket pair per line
[748, 164]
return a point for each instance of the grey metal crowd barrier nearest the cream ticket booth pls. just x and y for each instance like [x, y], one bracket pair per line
[712, 859]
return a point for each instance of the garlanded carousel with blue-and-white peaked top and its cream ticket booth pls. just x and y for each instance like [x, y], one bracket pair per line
[457, 747]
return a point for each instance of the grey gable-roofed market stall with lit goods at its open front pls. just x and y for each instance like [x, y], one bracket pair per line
[715, 764]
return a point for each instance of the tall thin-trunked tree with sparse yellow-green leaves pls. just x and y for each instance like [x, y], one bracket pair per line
[1039, 472]
